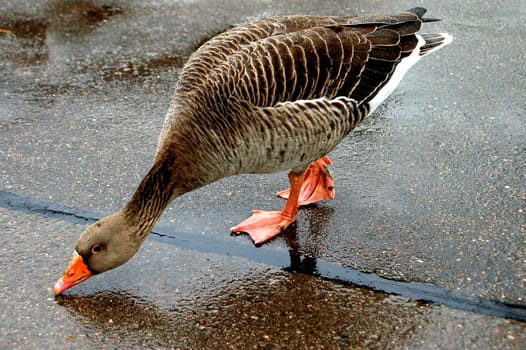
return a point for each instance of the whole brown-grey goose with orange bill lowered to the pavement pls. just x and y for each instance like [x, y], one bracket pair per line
[276, 94]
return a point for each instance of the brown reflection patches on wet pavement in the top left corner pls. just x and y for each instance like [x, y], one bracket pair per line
[62, 42]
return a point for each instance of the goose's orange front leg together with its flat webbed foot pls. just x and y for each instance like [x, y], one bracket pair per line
[264, 225]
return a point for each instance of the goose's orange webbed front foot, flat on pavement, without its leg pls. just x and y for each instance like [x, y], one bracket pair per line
[263, 225]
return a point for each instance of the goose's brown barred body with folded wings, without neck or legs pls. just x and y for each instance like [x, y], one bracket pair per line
[284, 91]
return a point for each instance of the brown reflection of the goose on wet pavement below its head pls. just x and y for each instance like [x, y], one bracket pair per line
[280, 308]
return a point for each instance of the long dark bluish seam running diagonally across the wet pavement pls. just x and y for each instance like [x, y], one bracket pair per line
[325, 270]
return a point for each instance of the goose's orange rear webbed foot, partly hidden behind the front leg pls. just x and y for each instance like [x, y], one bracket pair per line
[317, 184]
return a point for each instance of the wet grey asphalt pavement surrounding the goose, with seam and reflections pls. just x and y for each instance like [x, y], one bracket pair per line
[424, 246]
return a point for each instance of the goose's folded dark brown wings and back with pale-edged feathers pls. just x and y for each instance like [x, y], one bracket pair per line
[304, 57]
